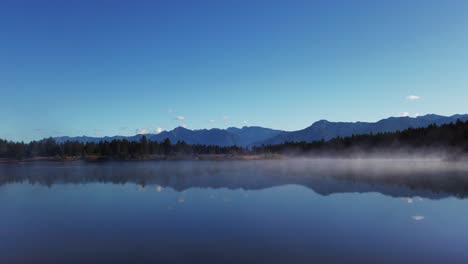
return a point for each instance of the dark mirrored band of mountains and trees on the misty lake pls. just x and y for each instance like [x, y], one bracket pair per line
[398, 178]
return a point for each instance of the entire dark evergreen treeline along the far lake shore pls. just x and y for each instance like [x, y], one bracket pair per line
[450, 137]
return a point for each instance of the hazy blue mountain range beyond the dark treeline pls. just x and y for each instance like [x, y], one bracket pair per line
[251, 136]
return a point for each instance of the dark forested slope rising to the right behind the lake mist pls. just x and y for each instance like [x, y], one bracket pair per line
[452, 137]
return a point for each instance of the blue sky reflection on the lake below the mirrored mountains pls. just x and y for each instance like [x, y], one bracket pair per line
[276, 224]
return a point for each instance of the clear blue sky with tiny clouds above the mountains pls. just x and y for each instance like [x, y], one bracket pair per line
[111, 67]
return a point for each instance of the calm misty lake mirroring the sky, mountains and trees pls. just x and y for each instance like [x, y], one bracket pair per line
[266, 211]
